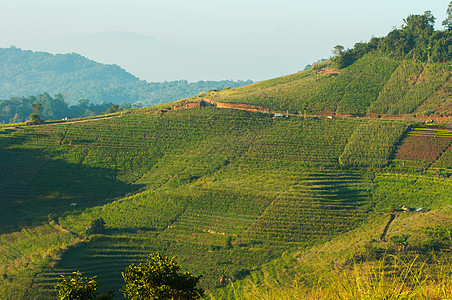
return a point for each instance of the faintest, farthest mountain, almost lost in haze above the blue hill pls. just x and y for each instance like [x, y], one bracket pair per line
[147, 57]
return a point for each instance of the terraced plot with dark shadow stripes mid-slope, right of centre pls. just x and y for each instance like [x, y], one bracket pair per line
[318, 206]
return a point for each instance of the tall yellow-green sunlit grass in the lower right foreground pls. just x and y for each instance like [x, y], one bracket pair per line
[405, 280]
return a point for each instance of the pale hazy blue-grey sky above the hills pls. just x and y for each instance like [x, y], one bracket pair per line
[246, 39]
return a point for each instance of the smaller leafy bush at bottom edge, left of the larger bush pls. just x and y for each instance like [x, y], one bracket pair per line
[76, 286]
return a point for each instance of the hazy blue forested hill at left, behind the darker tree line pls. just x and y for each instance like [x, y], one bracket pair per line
[25, 73]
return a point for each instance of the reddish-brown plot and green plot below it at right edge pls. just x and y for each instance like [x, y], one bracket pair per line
[419, 175]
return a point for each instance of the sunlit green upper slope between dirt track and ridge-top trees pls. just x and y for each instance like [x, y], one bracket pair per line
[373, 85]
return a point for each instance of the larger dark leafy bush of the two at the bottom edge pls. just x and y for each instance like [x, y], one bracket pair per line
[160, 278]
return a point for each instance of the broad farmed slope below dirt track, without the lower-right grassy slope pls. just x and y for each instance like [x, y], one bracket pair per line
[223, 190]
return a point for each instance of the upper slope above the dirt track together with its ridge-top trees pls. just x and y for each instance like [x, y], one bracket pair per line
[406, 72]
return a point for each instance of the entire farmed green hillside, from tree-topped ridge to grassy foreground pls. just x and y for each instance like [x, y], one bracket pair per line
[332, 183]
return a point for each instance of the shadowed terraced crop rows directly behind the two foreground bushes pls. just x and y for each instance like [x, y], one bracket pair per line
[113, 254]
